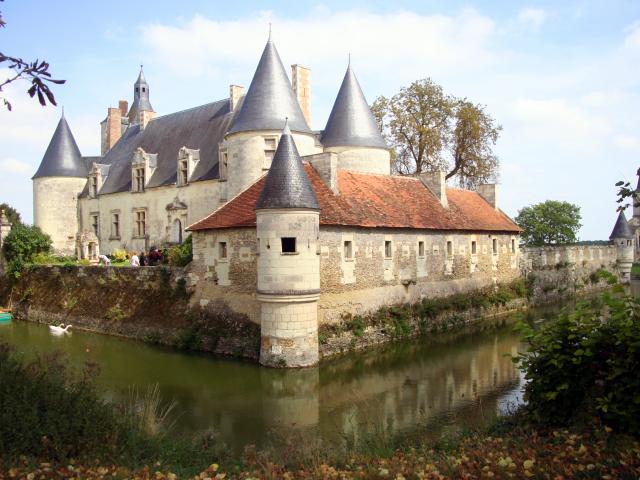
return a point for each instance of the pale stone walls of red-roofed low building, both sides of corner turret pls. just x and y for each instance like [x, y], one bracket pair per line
[366, 281]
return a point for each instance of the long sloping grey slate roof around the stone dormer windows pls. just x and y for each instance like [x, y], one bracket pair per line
[200, 128]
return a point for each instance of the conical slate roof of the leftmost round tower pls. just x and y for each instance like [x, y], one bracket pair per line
[62, 158]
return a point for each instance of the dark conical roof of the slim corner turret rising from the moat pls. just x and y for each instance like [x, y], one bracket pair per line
[287, 184]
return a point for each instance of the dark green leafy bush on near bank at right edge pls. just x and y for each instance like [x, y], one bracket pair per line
[586, 361]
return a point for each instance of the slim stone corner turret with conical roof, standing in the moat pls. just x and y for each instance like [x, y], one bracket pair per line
[288, 270]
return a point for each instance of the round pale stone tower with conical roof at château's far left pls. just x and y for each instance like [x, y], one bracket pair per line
[60, 178]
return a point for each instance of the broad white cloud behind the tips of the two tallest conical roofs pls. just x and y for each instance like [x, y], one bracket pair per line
[391, 41]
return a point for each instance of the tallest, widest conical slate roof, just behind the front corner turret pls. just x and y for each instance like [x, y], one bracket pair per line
[270, 98]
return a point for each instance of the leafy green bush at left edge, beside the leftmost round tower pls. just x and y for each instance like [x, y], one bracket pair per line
[22, 244]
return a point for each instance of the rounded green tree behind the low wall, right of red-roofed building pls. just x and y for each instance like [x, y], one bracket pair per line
[550, 222]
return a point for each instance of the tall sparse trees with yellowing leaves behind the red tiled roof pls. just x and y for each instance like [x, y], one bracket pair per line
[430, 130]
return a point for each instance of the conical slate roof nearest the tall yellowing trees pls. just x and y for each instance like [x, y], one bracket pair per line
[351, 122]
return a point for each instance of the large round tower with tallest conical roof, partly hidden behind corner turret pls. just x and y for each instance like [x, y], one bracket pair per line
[252, 140]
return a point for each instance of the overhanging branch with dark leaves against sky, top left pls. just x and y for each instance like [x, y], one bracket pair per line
[37, 72]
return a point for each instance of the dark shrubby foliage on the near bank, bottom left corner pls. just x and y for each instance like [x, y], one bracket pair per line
[49, 413]
